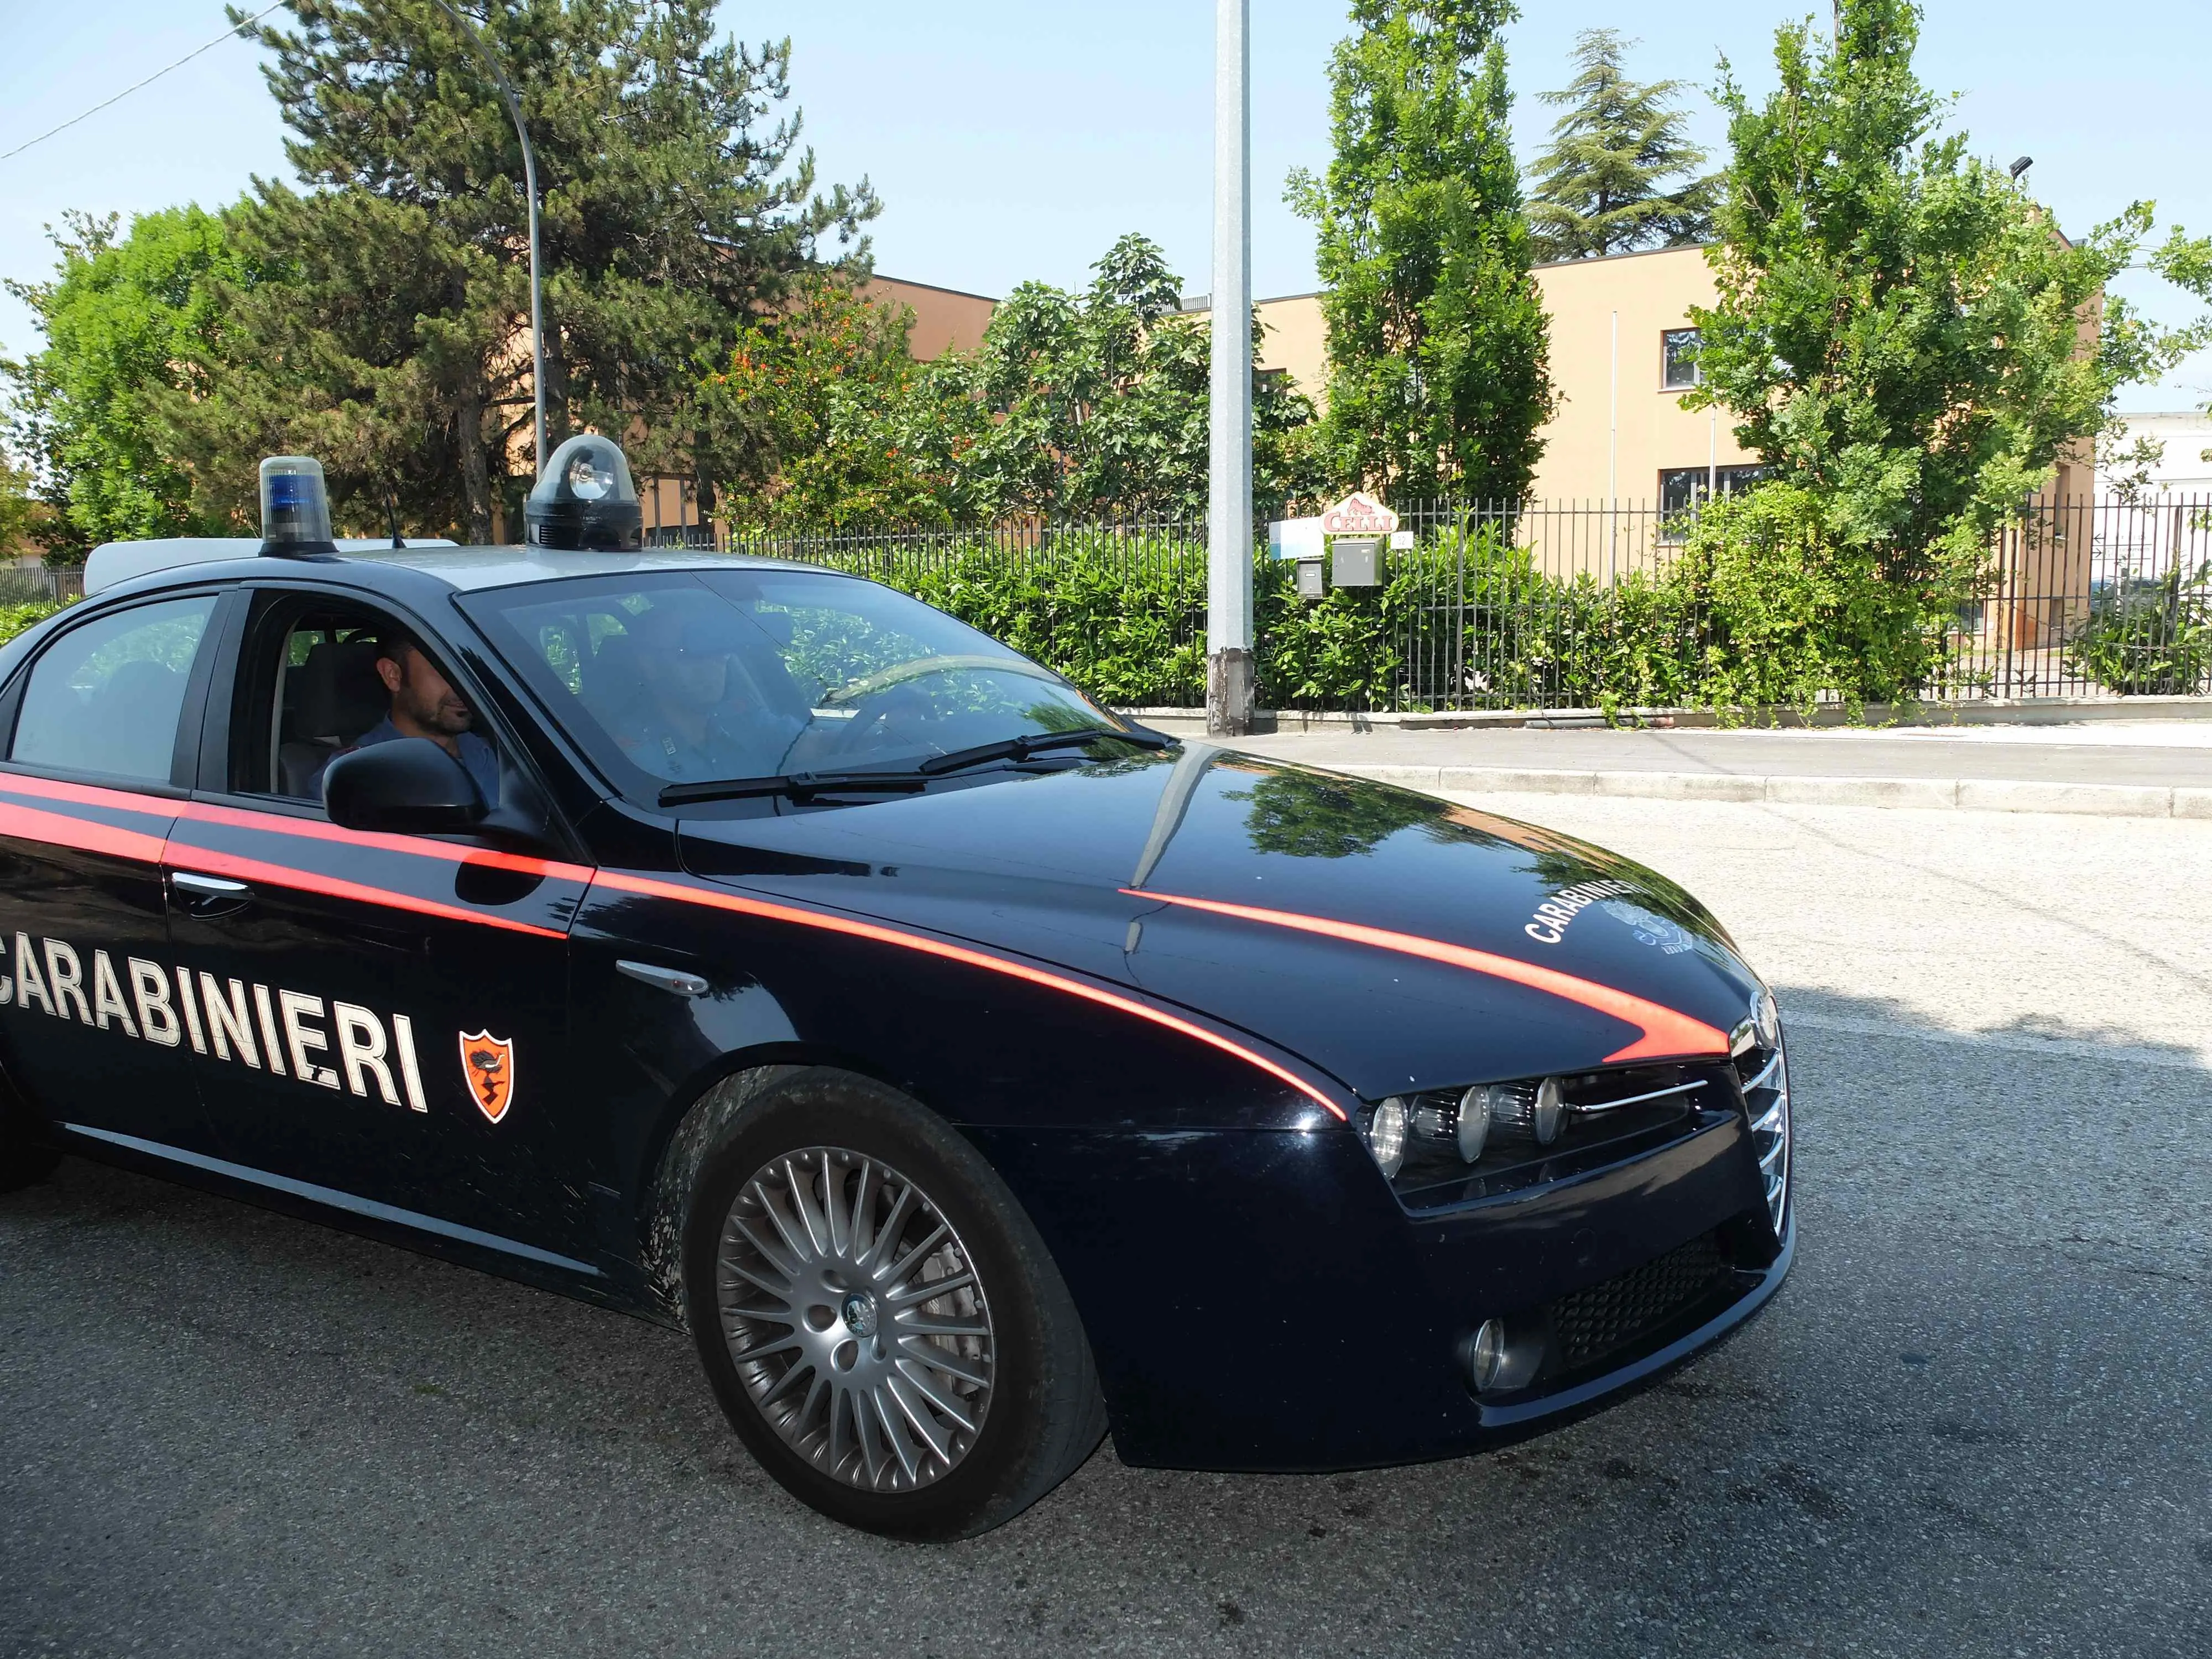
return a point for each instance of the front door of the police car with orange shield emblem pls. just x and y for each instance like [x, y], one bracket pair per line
[386, 1014]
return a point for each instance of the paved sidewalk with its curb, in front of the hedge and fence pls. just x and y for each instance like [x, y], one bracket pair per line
[2120, 769]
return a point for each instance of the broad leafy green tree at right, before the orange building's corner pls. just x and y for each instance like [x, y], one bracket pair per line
[1901, 331]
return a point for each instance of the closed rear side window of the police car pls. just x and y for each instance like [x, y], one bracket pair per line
[107, 698]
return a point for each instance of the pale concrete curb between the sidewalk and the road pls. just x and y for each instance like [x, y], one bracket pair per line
[1963, 795]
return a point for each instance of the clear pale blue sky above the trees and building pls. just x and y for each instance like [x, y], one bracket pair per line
[1019, 140]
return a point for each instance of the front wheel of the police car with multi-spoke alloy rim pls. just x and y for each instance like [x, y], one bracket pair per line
[879, 1317]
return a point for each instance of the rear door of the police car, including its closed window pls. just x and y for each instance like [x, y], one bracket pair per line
[96, 1019]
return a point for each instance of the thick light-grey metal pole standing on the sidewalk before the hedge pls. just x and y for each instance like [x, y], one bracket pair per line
[1229, 521]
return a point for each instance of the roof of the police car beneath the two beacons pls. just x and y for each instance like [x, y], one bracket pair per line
[459, 567]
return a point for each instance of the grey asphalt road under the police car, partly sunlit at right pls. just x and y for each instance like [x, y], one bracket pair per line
[1974, 1423]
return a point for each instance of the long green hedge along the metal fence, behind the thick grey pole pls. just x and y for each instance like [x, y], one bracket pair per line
[1753, 607]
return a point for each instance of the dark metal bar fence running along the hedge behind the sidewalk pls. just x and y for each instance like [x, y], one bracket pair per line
[1554, 605]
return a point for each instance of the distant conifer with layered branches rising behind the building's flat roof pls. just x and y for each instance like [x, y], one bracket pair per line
[1603, 185]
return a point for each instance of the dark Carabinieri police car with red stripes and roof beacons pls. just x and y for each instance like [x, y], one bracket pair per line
[762, 952]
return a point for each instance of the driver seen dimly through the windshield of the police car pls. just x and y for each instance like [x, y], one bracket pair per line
[700, 713]
